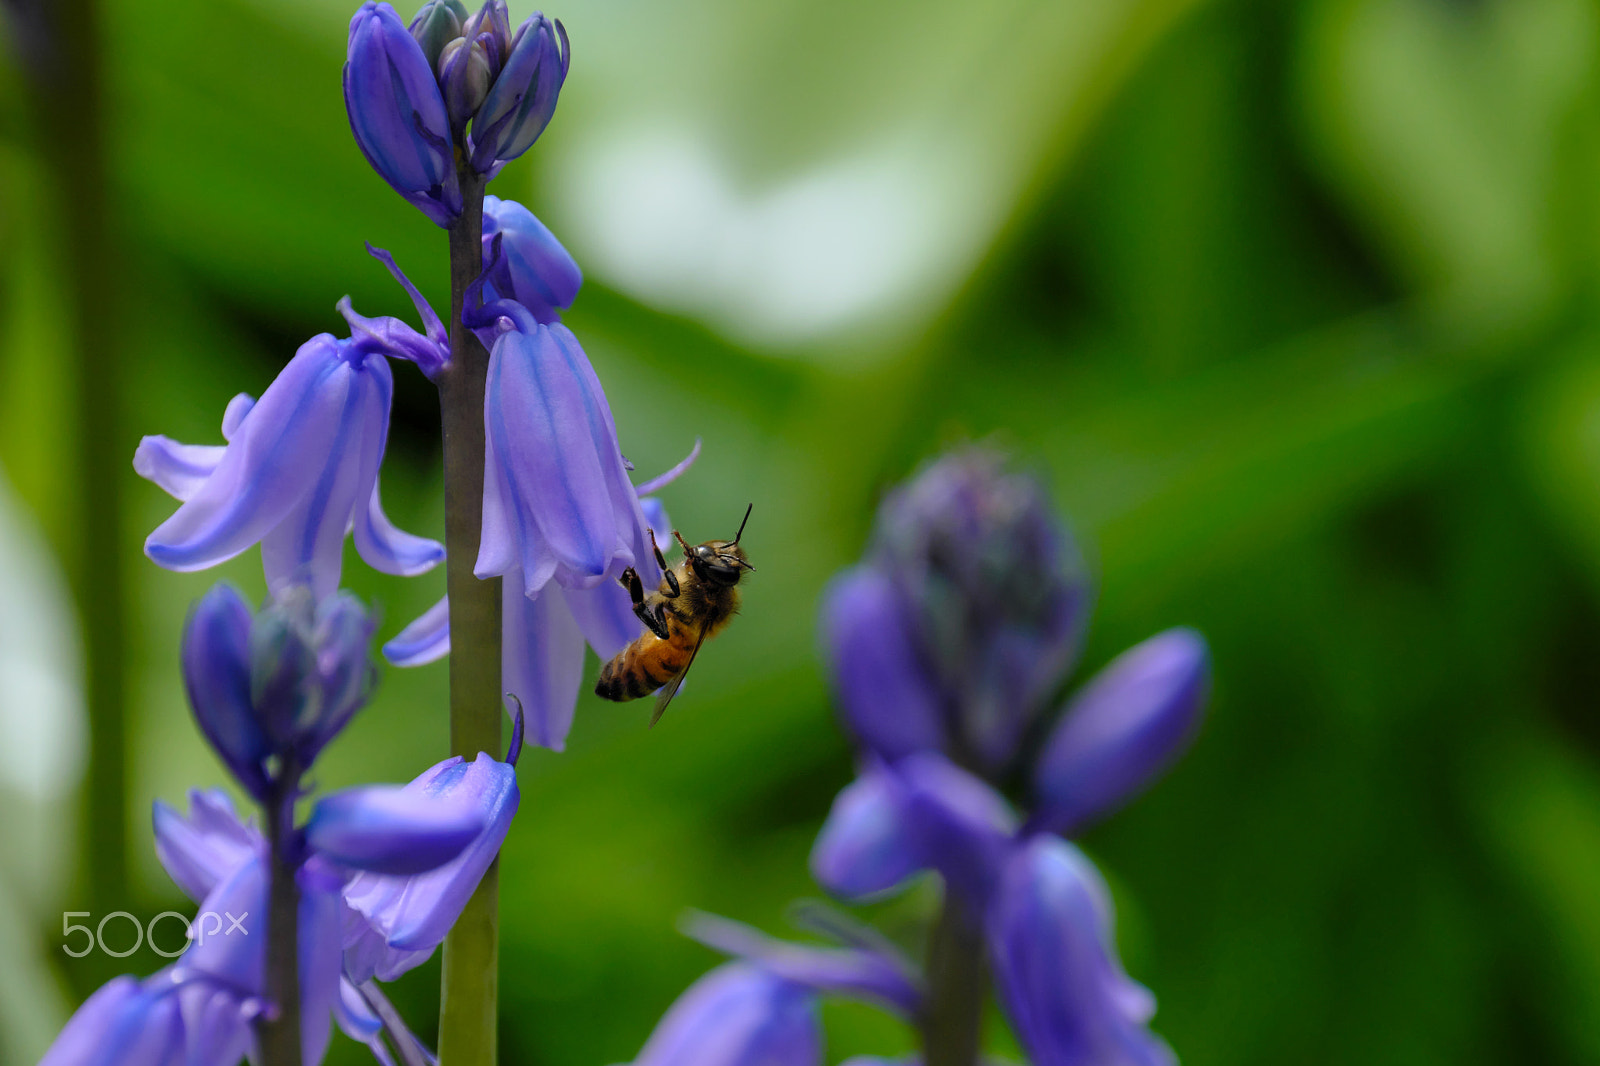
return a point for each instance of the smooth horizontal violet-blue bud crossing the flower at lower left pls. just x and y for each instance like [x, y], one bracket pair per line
[390, 830]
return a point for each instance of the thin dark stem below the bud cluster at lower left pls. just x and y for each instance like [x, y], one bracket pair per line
[281, 1036]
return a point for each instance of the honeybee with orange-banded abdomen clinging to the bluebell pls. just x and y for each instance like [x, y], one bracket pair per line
[695, 603]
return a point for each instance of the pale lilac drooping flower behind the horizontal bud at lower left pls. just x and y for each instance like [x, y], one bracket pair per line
[415, 913]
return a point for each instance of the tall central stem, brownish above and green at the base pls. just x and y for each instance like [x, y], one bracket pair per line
[470, 985]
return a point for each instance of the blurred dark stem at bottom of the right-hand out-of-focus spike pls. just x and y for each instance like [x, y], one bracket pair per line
[954, 1016]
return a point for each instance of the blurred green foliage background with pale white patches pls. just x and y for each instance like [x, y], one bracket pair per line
[1294, 303]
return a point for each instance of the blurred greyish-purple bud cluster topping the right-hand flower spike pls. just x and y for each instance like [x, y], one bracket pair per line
[991, 603]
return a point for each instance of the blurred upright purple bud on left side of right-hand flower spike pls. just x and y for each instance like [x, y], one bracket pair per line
[889, 700]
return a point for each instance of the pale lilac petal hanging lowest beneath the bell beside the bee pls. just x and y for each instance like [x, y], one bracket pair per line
[542, 662]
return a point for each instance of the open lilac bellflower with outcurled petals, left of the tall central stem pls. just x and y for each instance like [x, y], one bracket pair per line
[300, 470]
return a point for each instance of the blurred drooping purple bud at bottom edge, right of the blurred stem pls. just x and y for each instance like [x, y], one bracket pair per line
[1057, 969]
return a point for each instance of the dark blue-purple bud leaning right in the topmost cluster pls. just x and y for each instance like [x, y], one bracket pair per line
[524, 97]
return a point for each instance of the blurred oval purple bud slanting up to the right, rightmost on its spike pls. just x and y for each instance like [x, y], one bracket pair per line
[1122, 731]
